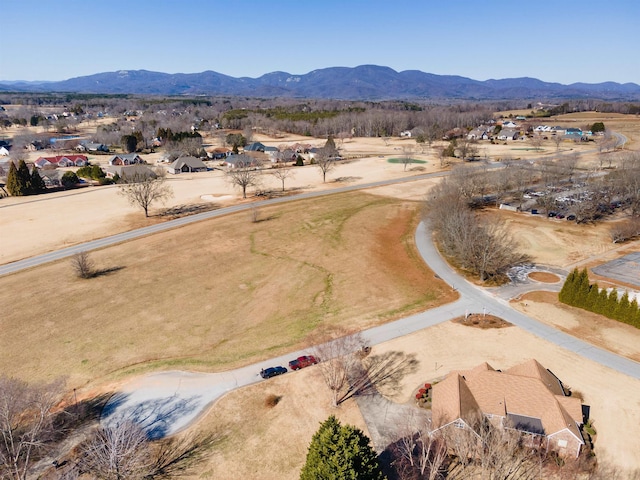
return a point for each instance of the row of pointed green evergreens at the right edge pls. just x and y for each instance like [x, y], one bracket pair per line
[578, 292]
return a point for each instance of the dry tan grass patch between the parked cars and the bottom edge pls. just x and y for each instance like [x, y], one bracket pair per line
[270, 443]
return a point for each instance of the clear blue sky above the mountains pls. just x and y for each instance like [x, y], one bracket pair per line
[553, 40]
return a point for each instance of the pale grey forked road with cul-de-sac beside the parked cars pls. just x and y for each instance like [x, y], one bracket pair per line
[165, 403]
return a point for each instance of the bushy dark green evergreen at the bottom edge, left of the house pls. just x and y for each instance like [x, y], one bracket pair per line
[340, 453]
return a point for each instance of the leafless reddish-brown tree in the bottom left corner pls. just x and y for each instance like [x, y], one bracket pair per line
[25, 424]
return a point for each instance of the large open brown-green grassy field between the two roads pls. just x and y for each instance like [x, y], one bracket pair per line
[220, 293]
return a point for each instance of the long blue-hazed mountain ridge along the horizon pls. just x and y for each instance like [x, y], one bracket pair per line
[365, 82]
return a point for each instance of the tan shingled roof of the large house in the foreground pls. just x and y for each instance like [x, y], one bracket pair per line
[527, 394]
